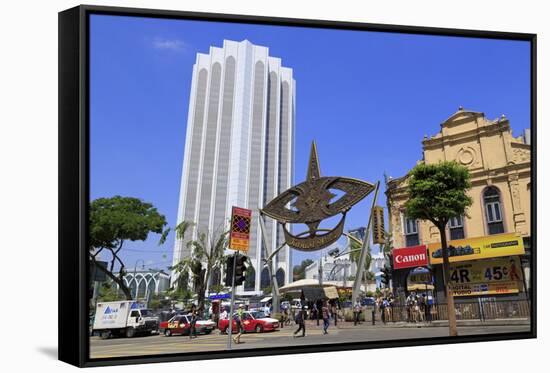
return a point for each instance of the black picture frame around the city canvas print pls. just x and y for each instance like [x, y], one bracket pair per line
[74, 183]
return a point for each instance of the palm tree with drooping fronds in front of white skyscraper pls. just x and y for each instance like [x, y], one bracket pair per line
[207, 252]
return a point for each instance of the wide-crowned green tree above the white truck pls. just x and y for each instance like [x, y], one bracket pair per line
[113, 221]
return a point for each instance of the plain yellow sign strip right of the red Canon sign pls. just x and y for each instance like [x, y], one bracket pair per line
[478, 248]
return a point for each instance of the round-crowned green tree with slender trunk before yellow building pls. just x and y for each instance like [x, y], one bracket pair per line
[437, 193]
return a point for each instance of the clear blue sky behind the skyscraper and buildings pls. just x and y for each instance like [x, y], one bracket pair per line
[366, 98]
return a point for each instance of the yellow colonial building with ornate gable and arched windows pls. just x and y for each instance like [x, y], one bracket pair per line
[500, 169]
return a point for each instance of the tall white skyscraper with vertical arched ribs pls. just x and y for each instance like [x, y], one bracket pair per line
[239, 147]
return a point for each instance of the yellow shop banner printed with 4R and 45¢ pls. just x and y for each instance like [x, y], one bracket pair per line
[487, 277]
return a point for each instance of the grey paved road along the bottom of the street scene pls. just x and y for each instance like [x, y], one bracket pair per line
[159, 344]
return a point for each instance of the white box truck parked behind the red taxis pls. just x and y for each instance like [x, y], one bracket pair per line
[123, 318]
